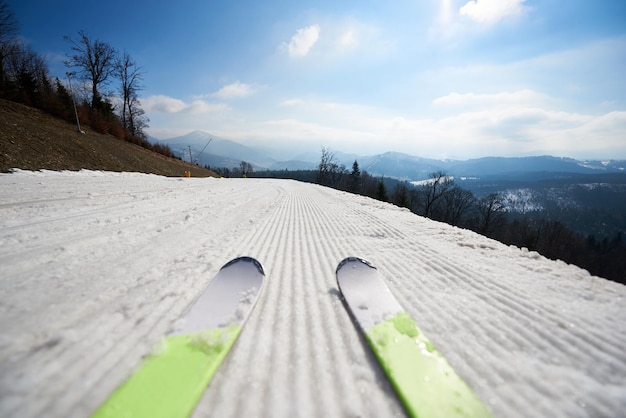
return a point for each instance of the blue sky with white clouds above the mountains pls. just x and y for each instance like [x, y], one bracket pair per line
[452, 79]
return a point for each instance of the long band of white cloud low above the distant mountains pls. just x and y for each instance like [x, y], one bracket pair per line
[459, 125]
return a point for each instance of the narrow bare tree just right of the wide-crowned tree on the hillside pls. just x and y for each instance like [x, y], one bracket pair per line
[130, 77]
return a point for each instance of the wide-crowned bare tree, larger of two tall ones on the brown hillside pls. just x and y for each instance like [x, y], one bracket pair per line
[95, 62]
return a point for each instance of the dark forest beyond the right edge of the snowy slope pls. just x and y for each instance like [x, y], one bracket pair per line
[442, 199]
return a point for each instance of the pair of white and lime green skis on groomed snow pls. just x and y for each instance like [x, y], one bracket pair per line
[171, 380]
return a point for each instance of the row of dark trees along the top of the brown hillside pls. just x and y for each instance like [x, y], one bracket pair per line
[100, 89]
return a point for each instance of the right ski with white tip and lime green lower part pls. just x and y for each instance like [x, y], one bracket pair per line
[425, 383]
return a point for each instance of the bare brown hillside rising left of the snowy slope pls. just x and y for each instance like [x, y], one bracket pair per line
[33, 140]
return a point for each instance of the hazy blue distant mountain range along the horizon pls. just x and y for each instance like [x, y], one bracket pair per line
[206, 149]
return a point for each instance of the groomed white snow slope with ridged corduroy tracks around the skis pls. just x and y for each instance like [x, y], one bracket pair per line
[96, 267]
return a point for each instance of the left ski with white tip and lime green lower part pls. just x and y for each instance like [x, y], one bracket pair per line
[171, 380]
